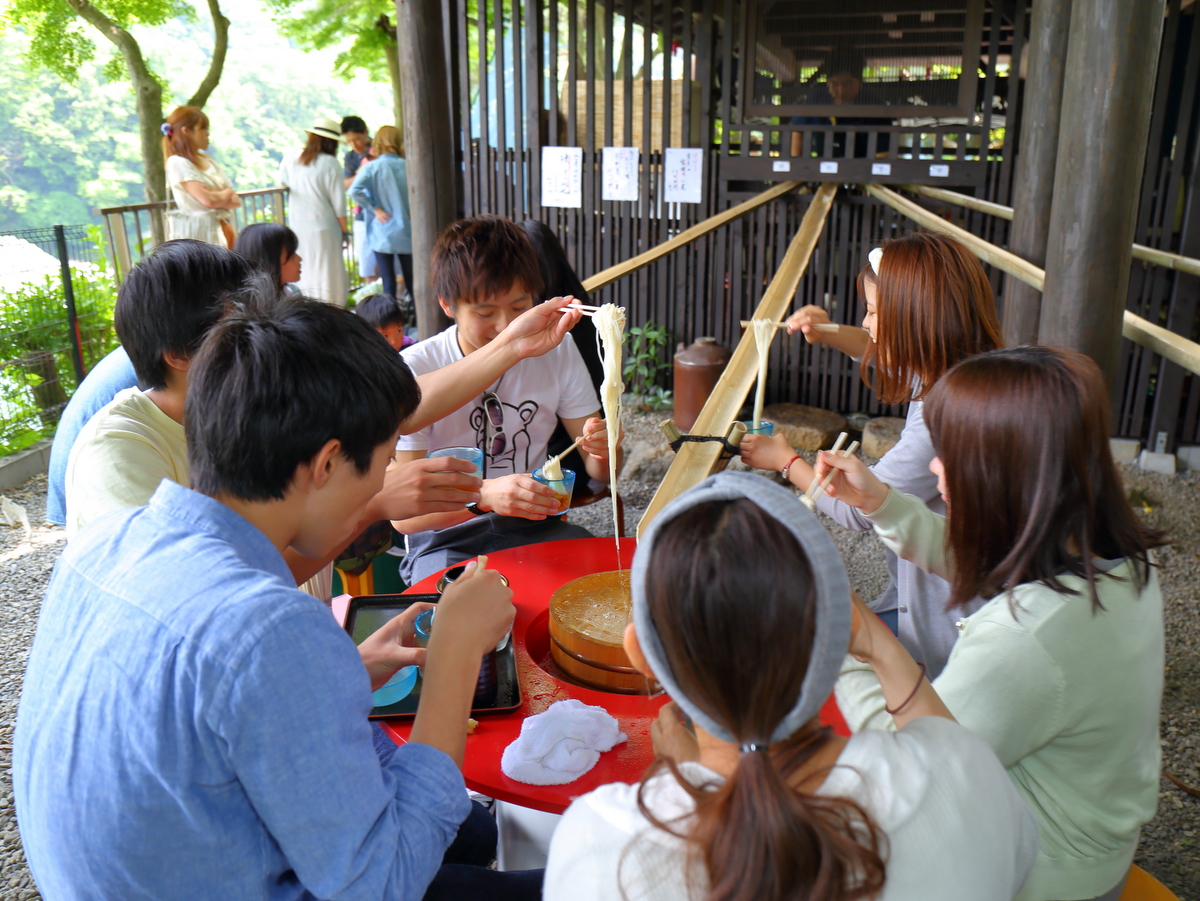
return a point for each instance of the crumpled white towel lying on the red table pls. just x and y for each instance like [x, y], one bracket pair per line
[561, 744]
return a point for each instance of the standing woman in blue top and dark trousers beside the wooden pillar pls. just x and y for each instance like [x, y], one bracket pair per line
[382, 188]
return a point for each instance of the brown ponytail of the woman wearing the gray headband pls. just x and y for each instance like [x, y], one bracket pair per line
[759, 838]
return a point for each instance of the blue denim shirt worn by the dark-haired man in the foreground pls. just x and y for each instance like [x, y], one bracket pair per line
[194, 726]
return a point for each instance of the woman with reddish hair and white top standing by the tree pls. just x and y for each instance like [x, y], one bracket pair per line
[205, 196]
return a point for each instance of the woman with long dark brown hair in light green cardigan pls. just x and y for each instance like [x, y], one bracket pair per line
[1061, 672]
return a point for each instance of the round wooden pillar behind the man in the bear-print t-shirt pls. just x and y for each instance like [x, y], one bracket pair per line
[429, 143]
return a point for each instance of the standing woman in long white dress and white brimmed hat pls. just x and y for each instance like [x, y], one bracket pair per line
[317, 213]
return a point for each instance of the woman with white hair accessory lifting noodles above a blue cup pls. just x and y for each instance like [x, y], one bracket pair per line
[929, 305]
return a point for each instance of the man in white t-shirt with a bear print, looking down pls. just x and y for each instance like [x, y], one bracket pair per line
[485, 274]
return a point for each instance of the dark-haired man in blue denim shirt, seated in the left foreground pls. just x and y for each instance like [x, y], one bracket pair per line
[193, 725]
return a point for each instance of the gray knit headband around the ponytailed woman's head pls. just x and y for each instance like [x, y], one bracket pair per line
[832, 590]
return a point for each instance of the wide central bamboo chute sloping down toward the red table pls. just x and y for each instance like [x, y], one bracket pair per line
[695, 460]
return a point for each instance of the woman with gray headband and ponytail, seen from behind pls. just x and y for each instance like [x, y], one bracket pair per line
[743, 612]
